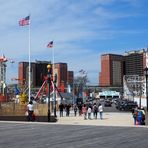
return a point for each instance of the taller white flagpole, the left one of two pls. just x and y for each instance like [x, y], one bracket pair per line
[29, 72]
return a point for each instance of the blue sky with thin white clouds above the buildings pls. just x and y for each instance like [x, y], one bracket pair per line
[82, 30]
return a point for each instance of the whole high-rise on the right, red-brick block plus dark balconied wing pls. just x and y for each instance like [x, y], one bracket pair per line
[114, 67]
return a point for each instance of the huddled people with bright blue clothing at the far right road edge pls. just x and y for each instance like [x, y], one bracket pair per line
[139, 116]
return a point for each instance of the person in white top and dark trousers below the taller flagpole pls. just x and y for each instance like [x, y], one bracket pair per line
[30, 109]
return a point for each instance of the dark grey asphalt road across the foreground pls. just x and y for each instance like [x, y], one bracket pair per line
[46, 135]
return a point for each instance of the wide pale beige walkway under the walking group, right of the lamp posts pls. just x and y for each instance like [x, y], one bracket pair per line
[109, 119]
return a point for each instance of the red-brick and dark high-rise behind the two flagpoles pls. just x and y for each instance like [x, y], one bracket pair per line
[39, 71]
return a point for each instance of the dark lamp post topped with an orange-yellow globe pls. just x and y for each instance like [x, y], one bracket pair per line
[49, 83]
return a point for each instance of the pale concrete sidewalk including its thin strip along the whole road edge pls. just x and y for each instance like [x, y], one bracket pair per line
[122, 119]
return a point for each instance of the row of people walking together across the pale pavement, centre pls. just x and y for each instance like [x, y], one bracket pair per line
[82, 109]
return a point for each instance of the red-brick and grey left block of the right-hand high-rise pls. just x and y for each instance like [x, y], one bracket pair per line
[111, 70]
